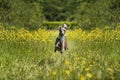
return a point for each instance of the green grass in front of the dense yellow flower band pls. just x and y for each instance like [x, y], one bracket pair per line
[37, 61]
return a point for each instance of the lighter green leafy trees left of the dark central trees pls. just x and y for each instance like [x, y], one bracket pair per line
[21, 13]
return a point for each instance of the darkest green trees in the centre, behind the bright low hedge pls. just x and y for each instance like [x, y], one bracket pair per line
[61, 10]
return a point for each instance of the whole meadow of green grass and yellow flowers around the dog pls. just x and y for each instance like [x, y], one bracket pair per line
[29, 55]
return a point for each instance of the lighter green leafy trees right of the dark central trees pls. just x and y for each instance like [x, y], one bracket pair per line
[98, 13]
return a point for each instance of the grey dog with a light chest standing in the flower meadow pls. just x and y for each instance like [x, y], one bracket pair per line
[61, 41]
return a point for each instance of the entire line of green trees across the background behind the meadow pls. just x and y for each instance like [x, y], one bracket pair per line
[87, 13]
